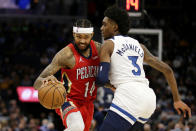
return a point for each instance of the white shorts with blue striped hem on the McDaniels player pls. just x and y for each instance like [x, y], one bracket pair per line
[134, 101]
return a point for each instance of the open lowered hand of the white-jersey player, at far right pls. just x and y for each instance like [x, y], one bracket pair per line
[180, 105]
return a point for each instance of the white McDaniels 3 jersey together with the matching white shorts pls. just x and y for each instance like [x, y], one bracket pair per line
[133, 99]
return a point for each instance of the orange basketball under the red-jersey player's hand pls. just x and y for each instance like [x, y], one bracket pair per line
[52, 95]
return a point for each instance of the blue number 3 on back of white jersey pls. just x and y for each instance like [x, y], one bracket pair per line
[134, 60]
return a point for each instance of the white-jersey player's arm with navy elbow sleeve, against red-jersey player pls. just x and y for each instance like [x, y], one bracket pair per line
[105, 57]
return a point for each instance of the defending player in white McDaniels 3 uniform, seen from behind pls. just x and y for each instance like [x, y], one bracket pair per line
[122, 60]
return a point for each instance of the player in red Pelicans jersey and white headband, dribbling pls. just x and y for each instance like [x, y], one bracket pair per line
[79, 65]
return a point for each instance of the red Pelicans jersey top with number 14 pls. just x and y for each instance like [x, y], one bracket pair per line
[80, 80]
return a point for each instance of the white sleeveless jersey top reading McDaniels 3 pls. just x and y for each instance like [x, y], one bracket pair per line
[126, 61]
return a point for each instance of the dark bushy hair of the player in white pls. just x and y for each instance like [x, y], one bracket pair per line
[120, 16]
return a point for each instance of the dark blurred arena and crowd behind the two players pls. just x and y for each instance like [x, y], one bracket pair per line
[32, 31]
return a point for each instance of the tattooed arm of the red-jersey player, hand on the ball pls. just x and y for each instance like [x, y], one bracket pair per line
[61, 59]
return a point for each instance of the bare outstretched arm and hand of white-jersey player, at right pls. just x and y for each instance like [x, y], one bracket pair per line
[169, 75]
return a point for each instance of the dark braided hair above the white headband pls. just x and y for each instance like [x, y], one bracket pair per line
[83, 23]
